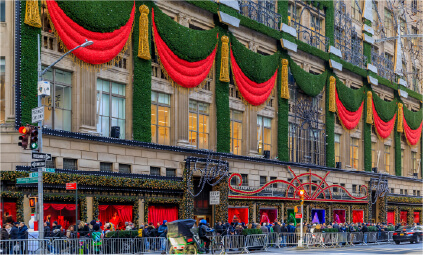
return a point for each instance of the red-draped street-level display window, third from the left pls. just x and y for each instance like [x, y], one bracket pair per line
[115, 214]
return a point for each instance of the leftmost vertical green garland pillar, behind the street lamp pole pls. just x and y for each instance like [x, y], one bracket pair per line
[28, 67]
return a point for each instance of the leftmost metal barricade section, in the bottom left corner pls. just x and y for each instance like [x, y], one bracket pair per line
[24, 246]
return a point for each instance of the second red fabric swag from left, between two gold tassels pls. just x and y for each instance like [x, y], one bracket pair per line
[186, 74]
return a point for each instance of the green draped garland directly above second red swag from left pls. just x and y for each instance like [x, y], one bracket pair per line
[188, 44]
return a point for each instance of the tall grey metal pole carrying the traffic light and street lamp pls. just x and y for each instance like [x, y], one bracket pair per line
[40, 149]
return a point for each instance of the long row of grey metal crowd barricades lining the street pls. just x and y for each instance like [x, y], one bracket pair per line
[219, 244]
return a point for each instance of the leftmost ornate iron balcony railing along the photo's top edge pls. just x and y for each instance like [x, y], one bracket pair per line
[262, 12]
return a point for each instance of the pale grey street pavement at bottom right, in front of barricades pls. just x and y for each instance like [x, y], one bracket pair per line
[405, 248]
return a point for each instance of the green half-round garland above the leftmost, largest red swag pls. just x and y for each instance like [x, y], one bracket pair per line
[98, 16]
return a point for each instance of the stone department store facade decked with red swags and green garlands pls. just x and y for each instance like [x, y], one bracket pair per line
[272, 96]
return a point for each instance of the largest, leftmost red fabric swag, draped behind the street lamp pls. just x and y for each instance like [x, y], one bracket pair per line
[106, 45]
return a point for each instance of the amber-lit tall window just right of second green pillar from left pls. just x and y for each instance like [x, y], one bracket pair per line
[160, 118]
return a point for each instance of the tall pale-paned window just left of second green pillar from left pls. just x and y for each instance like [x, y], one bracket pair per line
[110, 107]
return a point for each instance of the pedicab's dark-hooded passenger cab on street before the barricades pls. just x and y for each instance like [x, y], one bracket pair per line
[181, 238]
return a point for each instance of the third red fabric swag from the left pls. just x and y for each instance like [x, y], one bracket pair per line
[253, 92]
